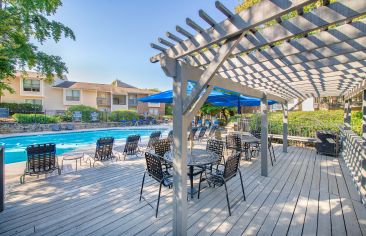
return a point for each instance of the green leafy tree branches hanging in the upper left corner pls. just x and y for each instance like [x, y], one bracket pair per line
[24, 21]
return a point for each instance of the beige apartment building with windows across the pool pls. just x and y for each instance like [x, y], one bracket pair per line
[62, 93]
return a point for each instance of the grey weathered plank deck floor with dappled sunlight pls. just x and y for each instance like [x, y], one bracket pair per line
[305, 194]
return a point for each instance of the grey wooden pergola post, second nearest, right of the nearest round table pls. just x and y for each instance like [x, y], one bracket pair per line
[264, 136]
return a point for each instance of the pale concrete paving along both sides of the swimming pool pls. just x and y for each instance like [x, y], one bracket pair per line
[14, 170]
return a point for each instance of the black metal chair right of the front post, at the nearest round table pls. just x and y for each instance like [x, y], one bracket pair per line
[221, 178]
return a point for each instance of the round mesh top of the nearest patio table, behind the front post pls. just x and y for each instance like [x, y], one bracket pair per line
[197, 158]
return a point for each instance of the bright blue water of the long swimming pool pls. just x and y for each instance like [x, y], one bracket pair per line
[15, 146]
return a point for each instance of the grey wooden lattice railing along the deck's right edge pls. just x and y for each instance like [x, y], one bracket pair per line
[354, 155]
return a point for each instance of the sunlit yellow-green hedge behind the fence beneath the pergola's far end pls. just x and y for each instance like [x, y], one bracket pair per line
[306, 123]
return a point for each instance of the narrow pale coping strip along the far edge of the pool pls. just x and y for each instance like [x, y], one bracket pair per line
[167, 126]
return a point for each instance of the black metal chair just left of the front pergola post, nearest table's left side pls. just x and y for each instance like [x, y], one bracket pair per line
[155, 171]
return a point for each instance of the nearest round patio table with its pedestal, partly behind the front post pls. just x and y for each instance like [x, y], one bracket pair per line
[196, 158]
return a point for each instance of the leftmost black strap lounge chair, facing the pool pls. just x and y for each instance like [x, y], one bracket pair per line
[41, 159]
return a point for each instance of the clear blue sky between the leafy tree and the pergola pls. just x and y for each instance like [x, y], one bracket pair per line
[113, 37]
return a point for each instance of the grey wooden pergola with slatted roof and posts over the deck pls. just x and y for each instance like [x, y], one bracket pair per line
[316, 53]
